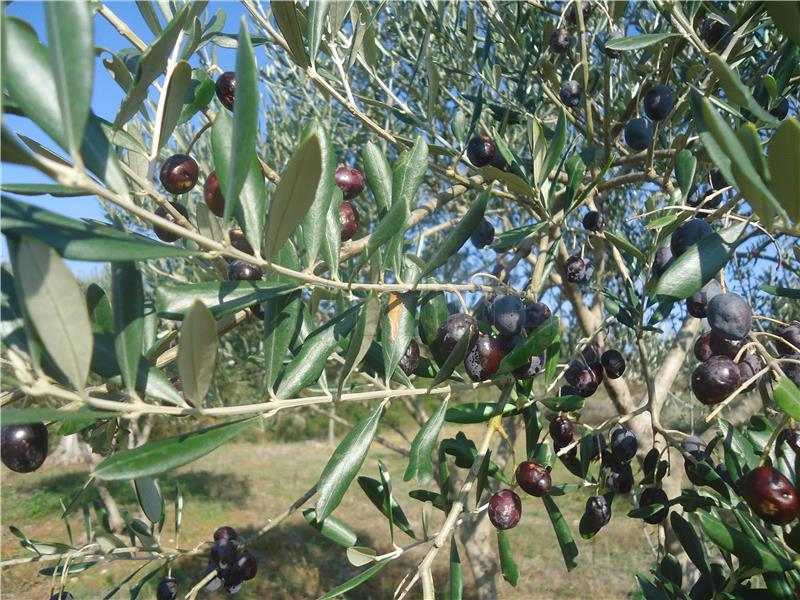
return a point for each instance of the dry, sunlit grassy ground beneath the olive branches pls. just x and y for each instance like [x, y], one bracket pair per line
[245, 484]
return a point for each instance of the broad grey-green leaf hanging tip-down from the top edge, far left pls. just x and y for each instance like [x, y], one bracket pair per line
[70, 38]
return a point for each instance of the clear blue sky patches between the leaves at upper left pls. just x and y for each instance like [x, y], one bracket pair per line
[106, 99]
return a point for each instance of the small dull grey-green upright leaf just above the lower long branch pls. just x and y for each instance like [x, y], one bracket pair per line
[197, 352]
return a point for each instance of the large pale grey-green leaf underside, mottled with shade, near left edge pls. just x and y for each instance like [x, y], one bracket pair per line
[55, 304]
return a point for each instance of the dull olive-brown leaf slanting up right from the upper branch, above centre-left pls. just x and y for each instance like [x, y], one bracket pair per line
[294, 195]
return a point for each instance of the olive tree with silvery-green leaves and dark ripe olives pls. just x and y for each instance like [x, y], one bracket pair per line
[534, 200]
